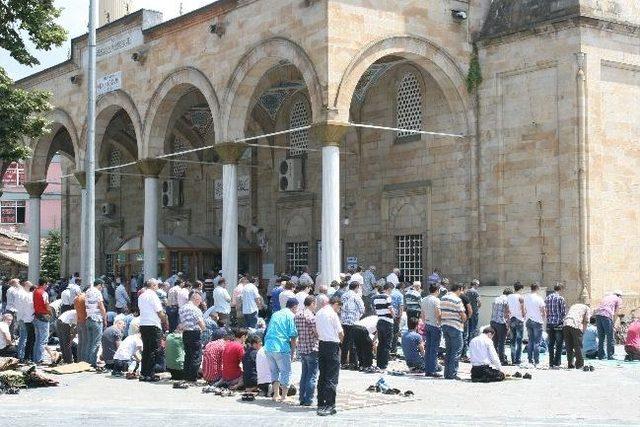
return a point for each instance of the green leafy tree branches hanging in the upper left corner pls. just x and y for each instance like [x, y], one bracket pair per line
[21, 112]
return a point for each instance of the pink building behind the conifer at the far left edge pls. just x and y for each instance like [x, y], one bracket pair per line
[14, 207]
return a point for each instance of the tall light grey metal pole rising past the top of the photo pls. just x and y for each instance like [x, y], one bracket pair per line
[89, 252]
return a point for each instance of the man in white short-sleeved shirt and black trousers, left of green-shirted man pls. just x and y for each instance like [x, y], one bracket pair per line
[152, 319]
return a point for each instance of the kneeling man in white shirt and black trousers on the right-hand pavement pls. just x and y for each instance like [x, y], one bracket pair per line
[485, 364]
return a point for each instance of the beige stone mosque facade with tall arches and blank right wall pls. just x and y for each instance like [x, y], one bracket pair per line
[536, 188]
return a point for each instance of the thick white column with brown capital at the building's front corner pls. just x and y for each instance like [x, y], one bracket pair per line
[330, 135]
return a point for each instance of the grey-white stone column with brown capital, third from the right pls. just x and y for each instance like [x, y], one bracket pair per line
[151, 169]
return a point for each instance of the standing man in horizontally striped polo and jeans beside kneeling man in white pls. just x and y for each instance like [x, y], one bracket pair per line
[453, 318]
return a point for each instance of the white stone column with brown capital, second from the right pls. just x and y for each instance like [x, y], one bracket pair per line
[230, 153]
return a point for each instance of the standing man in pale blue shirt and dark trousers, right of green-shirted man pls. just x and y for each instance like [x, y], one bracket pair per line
[192, 323]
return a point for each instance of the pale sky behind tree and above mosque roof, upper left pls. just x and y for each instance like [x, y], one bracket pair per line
[75, 19]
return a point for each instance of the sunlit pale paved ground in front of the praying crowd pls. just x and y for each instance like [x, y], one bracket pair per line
[608, 396]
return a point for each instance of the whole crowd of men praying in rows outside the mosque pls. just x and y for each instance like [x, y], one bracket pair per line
[247, 339]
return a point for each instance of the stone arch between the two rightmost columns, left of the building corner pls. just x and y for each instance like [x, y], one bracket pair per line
[253, 65]
